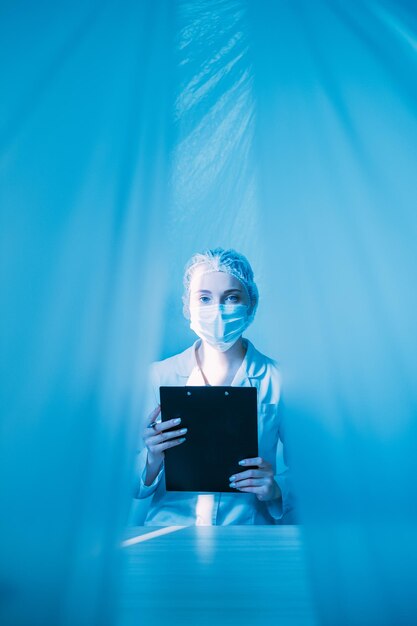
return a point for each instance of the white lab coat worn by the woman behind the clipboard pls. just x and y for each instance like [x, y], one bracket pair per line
[186, 509]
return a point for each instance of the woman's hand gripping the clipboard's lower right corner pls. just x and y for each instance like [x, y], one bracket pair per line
[259, 481]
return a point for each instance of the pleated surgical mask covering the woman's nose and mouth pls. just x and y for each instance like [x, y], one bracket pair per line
[220, 325]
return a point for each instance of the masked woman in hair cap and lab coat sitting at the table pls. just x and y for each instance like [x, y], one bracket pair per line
[220, 300]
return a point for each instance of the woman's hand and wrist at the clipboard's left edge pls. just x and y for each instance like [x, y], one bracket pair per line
[157, 440]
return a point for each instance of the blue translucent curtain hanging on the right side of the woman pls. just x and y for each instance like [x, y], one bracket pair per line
[336, 130]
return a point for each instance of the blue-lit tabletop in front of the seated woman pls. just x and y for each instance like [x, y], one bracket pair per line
[221, 575]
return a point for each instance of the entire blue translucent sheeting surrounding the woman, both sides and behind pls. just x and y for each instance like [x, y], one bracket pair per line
[133, 135]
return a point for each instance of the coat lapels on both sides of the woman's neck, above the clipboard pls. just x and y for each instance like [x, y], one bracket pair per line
[253, 365]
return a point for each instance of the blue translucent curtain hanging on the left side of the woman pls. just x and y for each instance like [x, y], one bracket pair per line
[85, 138]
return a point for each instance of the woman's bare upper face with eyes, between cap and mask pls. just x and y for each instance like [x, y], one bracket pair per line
[216, 288]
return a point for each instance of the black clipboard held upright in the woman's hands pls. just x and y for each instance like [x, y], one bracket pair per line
[222, 430]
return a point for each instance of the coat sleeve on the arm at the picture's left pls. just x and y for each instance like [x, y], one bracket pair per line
[141, 490]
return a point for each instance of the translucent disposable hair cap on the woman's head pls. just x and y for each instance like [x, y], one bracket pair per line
[220, 260]
